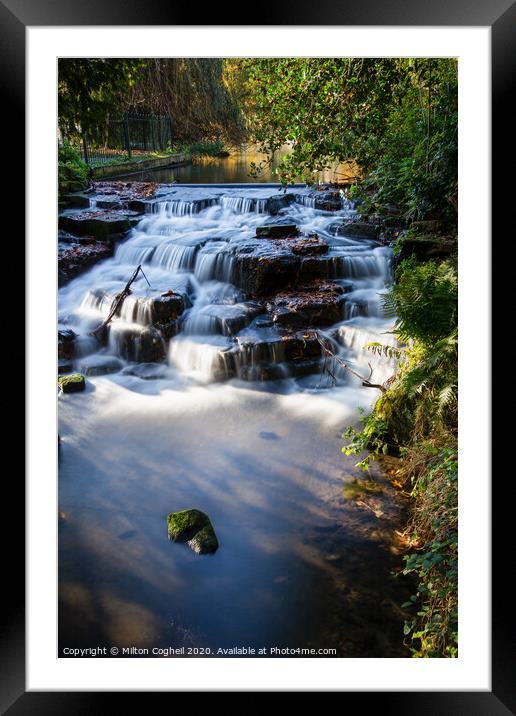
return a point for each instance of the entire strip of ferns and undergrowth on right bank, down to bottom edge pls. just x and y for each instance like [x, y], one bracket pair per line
[418, 413]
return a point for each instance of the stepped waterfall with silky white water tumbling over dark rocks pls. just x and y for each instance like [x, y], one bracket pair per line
[197, 249]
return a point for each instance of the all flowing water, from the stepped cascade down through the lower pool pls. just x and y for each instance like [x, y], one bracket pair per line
[306, 544]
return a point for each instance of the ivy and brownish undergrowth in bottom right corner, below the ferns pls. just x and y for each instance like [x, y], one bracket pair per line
[433, 627]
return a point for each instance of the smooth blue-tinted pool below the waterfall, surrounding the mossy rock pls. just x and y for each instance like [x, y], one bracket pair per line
[298, 565]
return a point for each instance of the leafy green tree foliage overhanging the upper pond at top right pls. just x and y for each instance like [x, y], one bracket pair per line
[397, 118]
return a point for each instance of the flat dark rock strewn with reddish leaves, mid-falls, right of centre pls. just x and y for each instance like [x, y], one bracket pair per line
[316, 304]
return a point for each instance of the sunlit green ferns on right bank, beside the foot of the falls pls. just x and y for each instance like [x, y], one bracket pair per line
[422, 399]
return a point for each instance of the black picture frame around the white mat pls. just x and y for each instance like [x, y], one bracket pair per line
[500, 15]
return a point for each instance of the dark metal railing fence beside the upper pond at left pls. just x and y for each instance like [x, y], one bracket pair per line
[128, 137]
